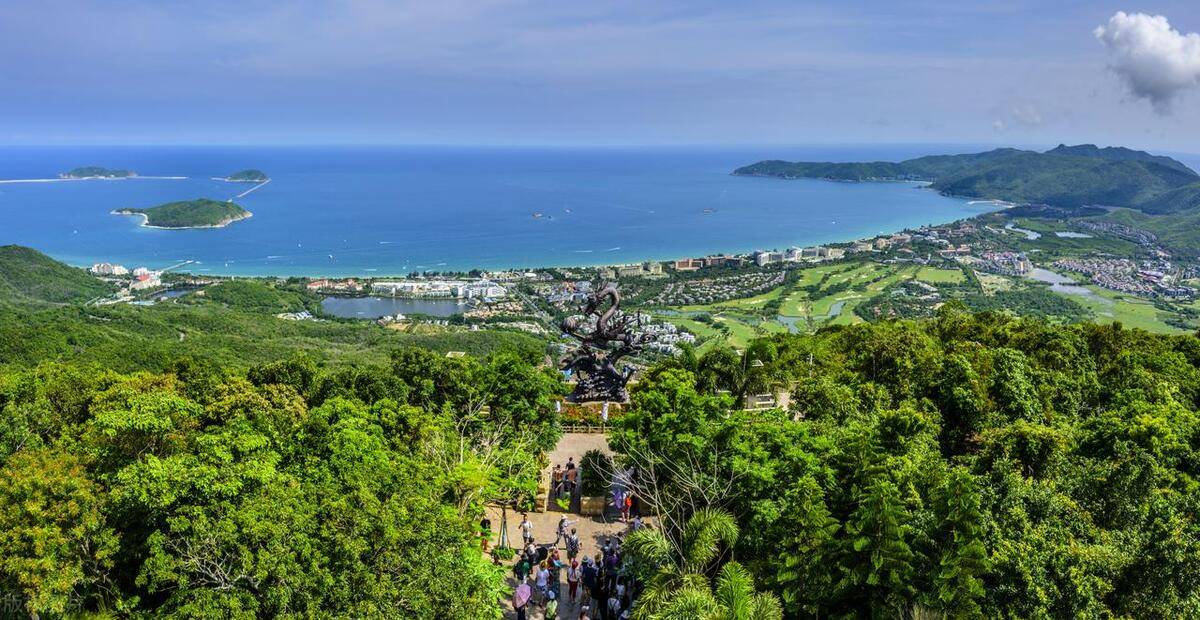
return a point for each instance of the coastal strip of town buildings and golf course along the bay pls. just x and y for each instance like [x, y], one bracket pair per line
[1067, 268]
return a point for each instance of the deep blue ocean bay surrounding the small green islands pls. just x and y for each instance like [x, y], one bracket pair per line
[374, 212]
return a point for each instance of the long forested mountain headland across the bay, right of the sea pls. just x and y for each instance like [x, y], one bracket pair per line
[1063, 177]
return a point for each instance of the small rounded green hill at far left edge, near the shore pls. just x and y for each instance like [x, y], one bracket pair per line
[28, 275]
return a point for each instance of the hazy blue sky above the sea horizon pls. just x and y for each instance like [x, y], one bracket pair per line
[609, 74]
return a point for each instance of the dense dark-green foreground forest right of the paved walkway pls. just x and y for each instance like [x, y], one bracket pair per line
[971, 466]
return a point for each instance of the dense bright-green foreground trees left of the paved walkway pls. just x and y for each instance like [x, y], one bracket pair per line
[277, 492]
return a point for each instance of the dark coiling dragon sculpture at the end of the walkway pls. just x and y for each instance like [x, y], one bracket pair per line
[610, 340]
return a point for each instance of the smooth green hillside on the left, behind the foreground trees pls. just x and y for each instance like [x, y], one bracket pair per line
[232, 323]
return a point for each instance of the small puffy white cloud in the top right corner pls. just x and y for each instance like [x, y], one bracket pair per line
[1154, 61]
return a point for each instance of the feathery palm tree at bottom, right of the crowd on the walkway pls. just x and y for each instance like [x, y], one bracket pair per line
[679, 588]
